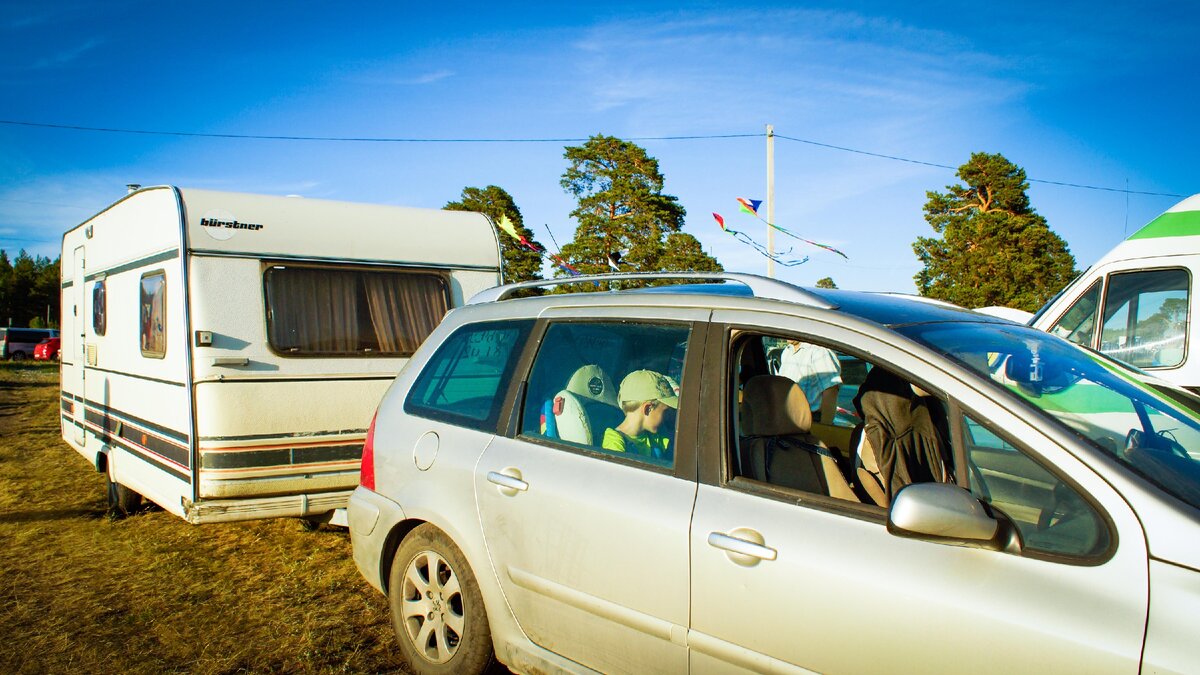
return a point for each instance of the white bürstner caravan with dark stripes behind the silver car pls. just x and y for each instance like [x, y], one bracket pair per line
[224, 354]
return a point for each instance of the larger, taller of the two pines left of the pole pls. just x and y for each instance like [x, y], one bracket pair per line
[622, 210]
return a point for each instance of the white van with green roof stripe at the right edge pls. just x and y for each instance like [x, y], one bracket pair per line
[1138, 302]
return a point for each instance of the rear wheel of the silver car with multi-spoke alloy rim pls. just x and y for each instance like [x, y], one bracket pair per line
[437, 611]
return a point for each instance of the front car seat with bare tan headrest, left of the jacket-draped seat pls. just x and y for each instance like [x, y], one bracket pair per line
[777, 445]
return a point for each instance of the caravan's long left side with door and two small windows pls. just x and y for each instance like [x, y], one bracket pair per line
[125, 399]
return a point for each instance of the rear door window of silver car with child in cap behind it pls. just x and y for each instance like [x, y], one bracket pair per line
[609, 389]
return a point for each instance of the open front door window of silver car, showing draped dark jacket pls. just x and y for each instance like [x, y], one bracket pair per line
[813, 419]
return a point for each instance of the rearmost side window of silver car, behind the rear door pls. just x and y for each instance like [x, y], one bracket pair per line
[464, 383]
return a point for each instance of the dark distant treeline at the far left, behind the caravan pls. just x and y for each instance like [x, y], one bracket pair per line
[29, 291]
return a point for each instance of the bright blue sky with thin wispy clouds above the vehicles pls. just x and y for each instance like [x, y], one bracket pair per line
[1073, 93]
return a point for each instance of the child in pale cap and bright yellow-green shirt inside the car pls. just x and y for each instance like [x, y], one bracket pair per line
[646, 398]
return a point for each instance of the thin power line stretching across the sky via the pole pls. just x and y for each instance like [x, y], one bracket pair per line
[583, 140]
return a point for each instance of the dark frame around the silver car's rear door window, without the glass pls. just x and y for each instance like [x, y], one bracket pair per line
[686, 462]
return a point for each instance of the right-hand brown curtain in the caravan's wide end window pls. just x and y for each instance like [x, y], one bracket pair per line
[405, 309]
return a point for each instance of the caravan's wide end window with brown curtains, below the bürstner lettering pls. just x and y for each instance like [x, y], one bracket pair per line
[337, 312]
